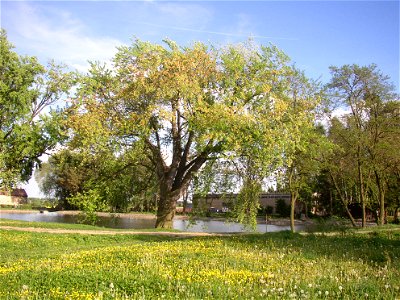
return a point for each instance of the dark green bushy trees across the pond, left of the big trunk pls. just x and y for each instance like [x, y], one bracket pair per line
[69, 175]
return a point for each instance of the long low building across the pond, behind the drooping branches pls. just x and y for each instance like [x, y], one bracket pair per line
[225, 202]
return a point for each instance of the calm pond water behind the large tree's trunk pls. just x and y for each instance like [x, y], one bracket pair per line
[212, 226]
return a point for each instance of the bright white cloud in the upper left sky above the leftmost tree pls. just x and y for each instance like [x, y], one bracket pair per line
[55, 34]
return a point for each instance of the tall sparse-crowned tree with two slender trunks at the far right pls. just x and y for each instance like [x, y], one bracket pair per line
[366, 92]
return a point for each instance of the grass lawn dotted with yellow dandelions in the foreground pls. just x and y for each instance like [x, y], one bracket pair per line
[281, 265]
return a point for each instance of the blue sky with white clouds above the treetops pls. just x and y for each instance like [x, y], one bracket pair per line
[315, 34]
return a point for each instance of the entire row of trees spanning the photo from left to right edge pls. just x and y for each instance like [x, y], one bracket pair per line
[165, 119]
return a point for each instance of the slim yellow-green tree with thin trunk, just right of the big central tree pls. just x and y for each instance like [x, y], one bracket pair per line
[301, 158]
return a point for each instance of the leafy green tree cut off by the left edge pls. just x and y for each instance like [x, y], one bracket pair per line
[26, 89]
